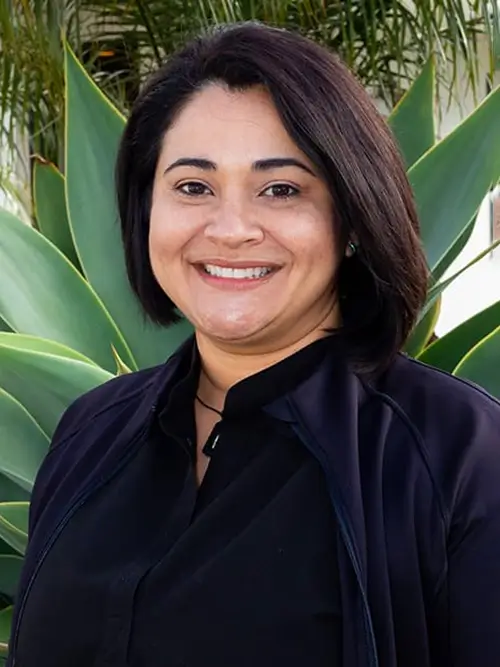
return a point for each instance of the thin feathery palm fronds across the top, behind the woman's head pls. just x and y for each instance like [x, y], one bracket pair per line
[384, 41]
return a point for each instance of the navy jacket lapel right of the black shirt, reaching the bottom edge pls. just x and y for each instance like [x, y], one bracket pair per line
[325, 411]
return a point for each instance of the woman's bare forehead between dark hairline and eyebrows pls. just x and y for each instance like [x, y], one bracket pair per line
[227, 125]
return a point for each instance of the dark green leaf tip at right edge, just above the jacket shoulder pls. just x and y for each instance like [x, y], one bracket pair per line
[480, 365]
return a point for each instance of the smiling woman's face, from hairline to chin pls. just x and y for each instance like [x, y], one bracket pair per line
[241, 233]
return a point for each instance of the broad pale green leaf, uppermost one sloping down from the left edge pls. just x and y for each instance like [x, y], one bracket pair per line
[44, 295]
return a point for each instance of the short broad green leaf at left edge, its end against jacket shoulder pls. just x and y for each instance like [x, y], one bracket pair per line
[23, 444]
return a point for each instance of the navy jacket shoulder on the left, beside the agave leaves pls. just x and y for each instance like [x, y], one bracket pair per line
[93, 433]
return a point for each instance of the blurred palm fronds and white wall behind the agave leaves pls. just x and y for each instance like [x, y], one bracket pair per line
[385, 42]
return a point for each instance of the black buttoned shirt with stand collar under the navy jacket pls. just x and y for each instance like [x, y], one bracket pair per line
[154, 572]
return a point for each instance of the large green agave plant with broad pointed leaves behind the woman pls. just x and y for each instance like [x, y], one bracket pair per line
[72, 321]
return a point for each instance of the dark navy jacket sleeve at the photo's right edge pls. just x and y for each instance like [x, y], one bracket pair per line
[474, 552]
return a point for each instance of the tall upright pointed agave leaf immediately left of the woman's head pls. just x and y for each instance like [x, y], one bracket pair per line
[93, 131]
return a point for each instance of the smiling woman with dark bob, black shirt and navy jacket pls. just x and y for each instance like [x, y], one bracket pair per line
[287, 489]
